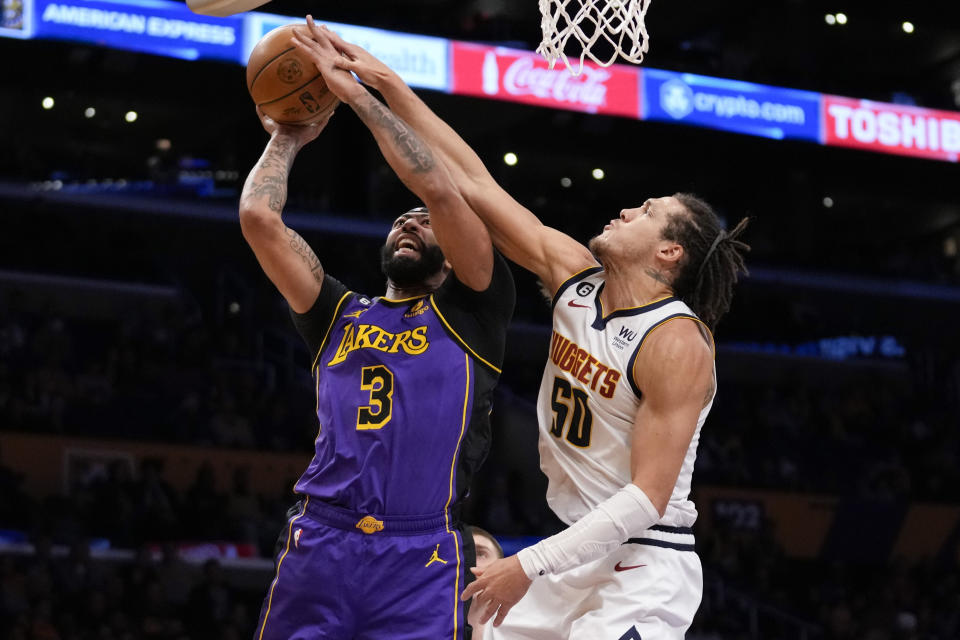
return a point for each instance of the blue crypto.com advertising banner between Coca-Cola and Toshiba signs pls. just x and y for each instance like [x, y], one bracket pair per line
[731, 105]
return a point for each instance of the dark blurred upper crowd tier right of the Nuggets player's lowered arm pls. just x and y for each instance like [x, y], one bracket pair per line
[868, 439]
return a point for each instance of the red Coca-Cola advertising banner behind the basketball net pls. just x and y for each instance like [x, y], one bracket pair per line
[523, 76]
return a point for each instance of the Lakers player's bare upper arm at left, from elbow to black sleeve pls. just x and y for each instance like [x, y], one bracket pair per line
[285, 257]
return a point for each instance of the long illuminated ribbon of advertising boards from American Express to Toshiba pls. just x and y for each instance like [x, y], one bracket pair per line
[167, 28]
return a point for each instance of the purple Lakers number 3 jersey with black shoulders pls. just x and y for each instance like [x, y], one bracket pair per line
[403, 392]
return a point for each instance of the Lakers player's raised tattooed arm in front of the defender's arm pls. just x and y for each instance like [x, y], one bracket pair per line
[461, 235]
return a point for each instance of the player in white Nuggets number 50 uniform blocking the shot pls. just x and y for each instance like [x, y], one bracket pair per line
[628, 384]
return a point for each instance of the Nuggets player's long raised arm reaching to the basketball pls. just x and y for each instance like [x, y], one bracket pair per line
[516, 231]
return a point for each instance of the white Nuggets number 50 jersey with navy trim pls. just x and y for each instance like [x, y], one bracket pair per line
[589, 400]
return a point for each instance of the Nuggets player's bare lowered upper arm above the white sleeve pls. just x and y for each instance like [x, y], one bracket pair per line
[674, 372]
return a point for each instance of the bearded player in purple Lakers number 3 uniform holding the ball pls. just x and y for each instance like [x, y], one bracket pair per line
[404, 381]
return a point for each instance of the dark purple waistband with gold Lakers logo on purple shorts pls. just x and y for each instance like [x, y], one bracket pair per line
[373, 524]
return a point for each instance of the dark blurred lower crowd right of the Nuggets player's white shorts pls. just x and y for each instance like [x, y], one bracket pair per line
[838, 599]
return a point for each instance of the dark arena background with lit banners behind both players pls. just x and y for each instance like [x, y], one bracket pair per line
[156, 402]
